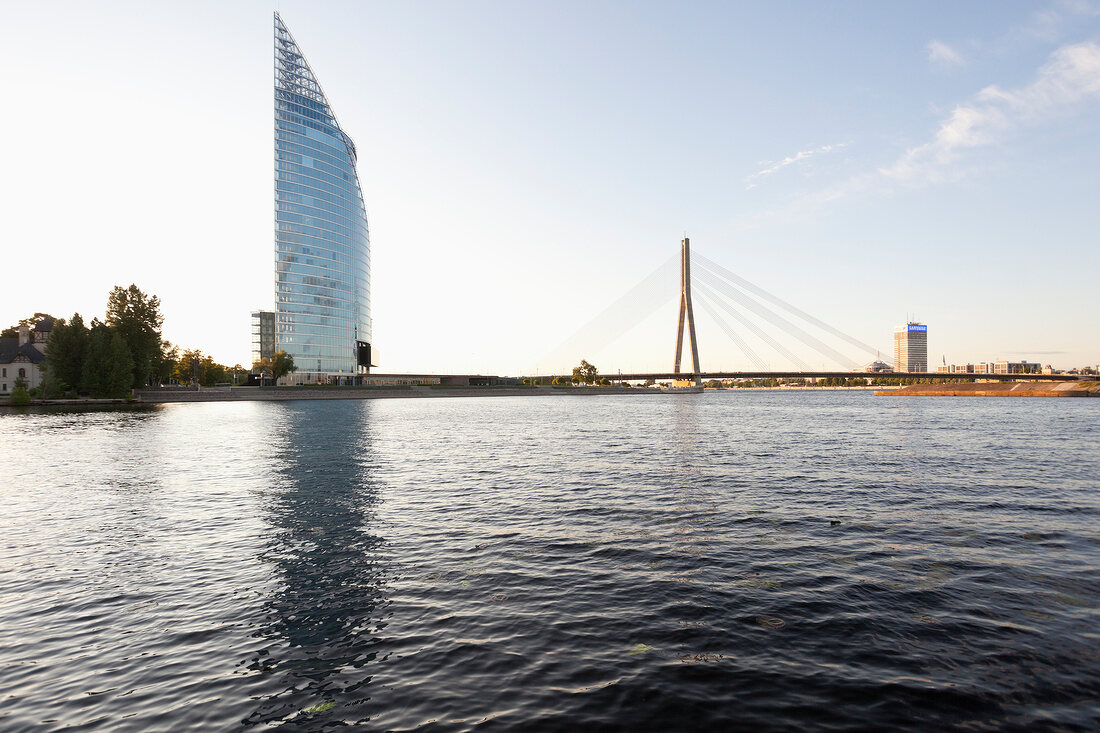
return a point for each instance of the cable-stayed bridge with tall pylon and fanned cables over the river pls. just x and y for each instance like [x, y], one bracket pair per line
[760, 324]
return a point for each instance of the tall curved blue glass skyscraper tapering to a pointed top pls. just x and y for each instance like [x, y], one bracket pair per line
[323, 249]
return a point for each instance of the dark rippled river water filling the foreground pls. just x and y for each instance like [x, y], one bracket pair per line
[757, 561]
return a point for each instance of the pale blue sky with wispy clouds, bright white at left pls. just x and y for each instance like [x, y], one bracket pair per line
[527, 165]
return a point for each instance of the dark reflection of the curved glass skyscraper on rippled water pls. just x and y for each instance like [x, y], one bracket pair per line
[320, 632]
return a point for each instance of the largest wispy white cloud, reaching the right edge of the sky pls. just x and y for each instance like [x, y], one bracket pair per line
[1069, 79]
